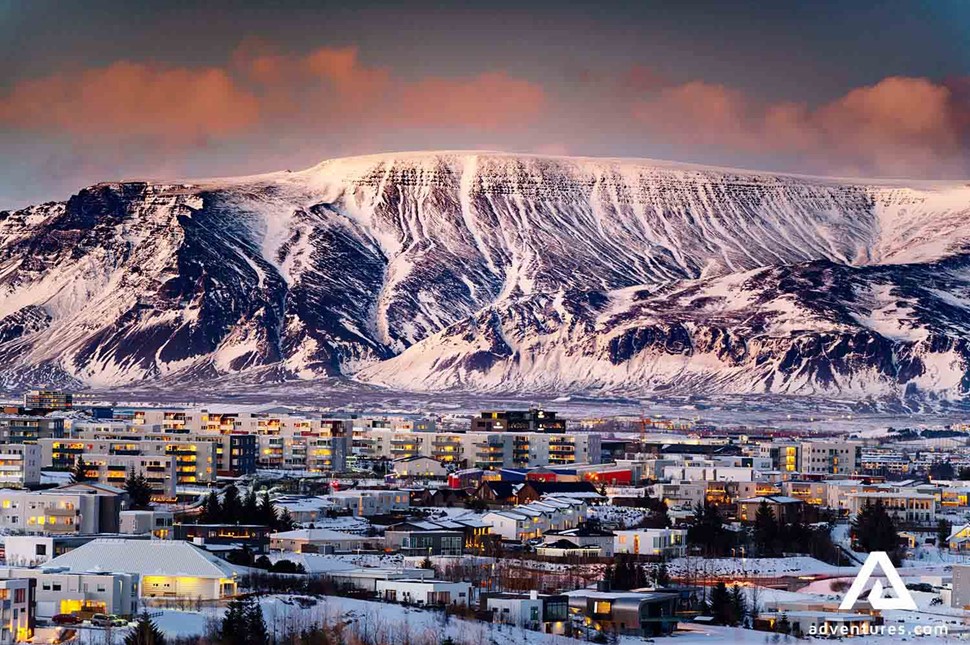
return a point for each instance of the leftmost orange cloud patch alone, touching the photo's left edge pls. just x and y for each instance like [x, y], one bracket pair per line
[134, 99]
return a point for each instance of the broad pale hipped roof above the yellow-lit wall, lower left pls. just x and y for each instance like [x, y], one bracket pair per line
[144, 557]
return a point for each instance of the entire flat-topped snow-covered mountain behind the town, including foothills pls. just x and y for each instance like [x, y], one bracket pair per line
[496, 272]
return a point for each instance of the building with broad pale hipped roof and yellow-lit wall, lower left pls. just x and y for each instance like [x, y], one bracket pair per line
[166, 568]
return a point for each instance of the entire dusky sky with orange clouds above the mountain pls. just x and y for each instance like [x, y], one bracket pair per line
[106, 91]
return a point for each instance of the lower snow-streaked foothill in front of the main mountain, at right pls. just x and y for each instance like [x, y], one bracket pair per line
[794, 329]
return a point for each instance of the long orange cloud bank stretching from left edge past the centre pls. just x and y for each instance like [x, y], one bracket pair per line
[325, 91]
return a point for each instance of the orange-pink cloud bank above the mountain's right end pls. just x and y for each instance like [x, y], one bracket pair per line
[898, 126]
